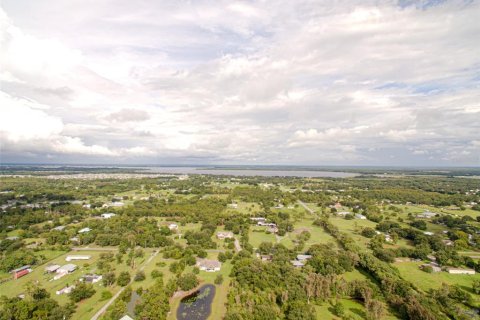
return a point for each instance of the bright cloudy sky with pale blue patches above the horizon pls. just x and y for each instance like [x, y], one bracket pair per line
[240, 82]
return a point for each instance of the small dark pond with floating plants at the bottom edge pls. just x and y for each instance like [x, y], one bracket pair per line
[198, 305]
